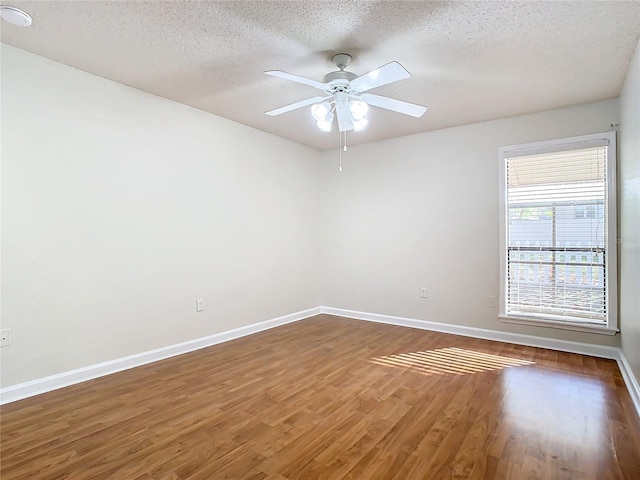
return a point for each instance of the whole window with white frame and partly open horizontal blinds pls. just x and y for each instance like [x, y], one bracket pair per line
[558, 233]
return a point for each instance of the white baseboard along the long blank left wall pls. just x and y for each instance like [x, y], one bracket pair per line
[64, 379]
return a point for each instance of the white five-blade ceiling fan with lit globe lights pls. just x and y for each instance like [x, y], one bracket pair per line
[345, 95]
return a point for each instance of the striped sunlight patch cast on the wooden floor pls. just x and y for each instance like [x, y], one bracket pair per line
[450, 360]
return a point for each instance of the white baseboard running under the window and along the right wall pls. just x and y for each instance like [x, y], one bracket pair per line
[601, 351]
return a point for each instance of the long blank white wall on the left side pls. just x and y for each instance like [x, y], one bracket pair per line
[120, 208]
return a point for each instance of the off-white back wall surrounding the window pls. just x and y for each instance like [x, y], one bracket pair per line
[422, 211]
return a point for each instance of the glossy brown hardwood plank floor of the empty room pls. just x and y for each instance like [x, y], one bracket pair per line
[332, 398]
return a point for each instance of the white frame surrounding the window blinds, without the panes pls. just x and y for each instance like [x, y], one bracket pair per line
[611, 289]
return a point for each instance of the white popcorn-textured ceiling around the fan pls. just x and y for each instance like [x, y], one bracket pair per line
[470, 61]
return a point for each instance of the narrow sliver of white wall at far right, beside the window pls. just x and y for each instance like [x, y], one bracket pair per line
[629, 233]
